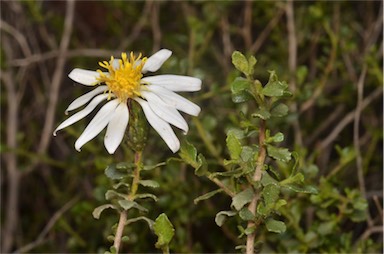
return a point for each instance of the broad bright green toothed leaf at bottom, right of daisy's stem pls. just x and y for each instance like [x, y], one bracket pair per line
[164, 230]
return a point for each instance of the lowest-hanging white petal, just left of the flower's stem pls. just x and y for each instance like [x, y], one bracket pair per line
[116, 128]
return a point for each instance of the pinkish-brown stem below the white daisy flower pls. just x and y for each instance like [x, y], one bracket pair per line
[131, 197]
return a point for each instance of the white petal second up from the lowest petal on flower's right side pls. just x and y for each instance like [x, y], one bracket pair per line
[164, 111]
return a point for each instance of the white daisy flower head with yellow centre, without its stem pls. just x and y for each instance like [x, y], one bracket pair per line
[123, 81]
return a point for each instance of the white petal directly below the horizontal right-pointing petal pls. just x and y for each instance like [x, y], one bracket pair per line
[175, 100]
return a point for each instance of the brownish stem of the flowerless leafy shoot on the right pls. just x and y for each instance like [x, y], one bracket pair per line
[256, 177]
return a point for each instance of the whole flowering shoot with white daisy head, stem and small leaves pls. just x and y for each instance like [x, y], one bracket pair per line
[132, 101]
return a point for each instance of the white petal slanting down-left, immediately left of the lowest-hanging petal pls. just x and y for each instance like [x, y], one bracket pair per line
[97, 124]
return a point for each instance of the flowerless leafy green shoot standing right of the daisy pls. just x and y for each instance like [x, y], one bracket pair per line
[250, 176]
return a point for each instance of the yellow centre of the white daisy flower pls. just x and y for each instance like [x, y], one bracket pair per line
[124, 80]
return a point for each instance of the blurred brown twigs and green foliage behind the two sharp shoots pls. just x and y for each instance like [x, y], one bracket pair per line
[330, 53]
